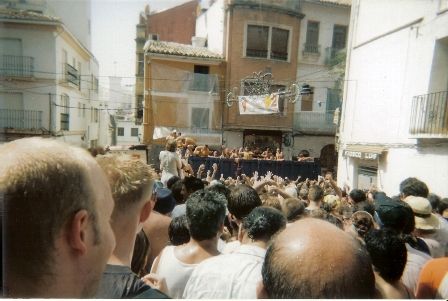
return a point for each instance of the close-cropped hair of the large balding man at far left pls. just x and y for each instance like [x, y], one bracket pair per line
[44, 183]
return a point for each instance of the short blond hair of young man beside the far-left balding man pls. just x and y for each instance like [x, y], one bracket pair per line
[128, 177]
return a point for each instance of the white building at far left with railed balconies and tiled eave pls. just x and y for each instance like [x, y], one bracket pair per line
[49, 78]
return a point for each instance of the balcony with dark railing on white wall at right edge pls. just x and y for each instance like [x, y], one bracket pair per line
[429, 116]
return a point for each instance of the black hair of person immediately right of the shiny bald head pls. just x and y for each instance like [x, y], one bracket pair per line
[387, 252]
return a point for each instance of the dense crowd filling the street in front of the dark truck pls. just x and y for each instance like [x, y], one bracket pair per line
[79, 225]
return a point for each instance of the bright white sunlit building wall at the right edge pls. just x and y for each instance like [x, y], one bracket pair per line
[394, 120]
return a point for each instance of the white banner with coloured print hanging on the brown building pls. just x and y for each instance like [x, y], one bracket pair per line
[259, 104]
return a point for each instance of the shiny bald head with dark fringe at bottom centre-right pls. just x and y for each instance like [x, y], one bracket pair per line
[314, 259]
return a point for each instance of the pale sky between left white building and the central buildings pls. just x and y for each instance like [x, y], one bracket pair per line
[113, 34]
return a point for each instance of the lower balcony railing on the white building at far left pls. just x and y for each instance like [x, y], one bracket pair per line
[20, 119]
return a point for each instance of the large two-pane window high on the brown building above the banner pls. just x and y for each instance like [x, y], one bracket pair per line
[267, 42]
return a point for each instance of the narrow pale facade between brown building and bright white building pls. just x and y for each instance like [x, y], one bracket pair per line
[323, 32]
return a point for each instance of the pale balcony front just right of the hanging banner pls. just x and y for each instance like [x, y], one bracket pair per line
[319, 122]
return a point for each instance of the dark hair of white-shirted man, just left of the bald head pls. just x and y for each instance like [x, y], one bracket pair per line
[263, 222]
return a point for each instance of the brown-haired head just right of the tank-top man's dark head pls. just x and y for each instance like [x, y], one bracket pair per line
[243, 199]
